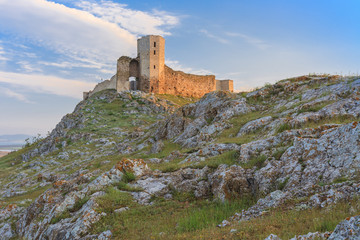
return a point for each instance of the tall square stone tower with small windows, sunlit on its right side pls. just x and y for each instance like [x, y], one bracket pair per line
[151, 55]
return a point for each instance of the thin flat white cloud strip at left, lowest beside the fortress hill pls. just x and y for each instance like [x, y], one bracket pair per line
[47, 84]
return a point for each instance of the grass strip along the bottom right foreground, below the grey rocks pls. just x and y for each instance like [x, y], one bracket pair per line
[282, 221]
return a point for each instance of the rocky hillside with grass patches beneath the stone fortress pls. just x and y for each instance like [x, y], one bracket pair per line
[281, 162]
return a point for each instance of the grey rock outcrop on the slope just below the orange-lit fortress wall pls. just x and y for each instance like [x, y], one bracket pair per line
[195, 124]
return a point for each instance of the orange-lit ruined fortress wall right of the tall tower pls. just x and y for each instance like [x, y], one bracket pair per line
[187, 85]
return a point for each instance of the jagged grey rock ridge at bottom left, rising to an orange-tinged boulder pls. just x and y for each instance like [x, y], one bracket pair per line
[53, 203]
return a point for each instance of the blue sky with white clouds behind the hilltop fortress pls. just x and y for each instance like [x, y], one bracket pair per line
[52, 51]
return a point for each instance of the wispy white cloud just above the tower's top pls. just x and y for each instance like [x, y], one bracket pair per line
[136, 22]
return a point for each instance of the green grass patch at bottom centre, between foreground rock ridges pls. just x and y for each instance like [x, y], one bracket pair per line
[171, 218]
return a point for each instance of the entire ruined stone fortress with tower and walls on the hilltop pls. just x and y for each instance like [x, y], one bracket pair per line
[148, 73]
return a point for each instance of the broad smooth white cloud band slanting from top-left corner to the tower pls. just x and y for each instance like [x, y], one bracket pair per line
[72, 32]
